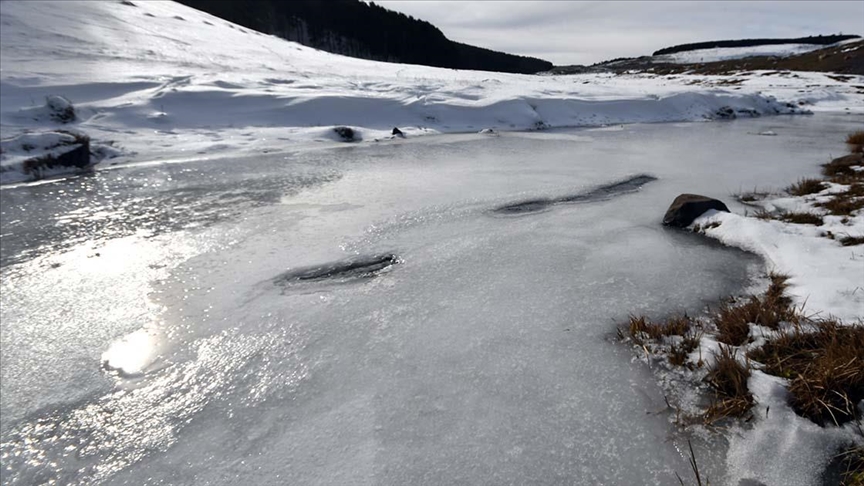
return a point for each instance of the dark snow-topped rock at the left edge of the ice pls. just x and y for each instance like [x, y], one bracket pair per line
[38, 154]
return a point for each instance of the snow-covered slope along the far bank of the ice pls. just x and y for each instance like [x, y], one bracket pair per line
[162, 80]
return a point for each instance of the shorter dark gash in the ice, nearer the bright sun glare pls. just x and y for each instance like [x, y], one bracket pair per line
[341, 271]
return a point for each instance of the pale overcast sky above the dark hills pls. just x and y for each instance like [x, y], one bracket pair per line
[570, 32]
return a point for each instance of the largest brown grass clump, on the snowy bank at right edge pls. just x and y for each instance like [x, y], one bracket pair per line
[825, 366]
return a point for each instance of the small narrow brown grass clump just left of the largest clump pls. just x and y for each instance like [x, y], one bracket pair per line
[728, 378]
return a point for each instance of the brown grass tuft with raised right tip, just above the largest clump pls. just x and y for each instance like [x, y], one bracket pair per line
[733, 321]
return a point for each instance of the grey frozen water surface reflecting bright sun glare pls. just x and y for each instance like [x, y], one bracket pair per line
[210, 322]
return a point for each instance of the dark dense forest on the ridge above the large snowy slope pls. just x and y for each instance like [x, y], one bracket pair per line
[368, 31]
